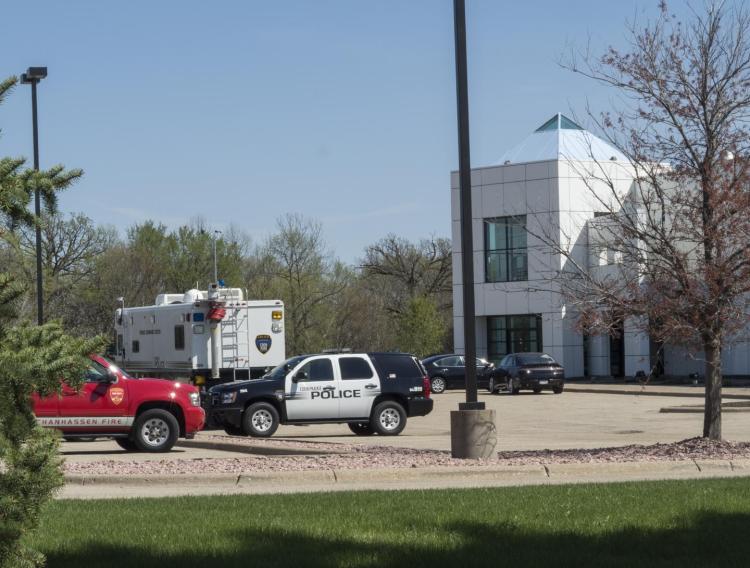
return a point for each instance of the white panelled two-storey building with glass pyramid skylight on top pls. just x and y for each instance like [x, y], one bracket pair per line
[537, 192]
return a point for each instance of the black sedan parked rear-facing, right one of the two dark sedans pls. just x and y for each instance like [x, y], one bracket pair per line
[529, 371]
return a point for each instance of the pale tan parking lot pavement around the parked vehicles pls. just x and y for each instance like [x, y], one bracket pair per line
[525, 422]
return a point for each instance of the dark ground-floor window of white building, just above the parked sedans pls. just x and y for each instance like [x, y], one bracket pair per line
[513, 334]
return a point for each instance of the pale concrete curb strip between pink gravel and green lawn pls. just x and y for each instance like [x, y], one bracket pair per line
[114, 486]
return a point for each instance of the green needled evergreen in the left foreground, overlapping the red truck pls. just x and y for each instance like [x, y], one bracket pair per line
[32, 359]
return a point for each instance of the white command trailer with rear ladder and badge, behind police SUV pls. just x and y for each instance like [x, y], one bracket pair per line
[206, 337]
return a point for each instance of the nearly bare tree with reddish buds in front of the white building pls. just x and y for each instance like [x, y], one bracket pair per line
[680, 236]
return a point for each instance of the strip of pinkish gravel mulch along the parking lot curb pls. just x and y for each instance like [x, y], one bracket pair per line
[380, 457]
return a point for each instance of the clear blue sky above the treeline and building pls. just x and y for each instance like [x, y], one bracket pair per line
[239, 112]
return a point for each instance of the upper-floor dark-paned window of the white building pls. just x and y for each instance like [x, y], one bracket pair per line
[506, 259]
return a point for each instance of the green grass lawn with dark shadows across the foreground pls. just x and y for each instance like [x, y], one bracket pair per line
[674, 523]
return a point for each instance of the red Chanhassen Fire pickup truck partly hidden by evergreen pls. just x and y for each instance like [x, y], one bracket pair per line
[145, 415]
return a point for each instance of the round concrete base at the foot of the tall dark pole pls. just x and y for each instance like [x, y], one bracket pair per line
[473, 434]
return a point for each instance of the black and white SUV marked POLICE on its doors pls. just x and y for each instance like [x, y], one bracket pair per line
[371, 392]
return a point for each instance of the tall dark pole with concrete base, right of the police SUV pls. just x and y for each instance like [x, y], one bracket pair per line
[473, 431]
